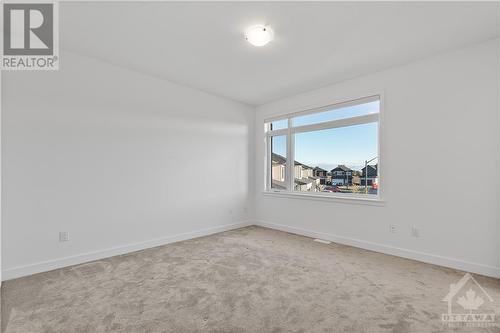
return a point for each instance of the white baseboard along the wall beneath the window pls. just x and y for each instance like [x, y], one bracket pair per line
[400, 252]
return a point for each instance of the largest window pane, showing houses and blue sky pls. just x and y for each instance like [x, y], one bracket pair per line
[333, 160]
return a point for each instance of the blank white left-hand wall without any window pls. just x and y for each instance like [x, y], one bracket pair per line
[120, 160]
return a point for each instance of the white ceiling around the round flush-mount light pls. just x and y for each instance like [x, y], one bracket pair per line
[201, 44]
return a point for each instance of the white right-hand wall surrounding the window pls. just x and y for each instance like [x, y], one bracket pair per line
[440, 121]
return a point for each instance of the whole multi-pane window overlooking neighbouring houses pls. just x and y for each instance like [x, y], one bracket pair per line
[330, 151]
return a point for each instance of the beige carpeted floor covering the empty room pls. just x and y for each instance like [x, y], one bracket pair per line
[247, 280]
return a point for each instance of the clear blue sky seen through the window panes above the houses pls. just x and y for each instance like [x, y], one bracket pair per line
[327, 148]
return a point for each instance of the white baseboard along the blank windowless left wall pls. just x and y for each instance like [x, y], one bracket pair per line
[49, 265]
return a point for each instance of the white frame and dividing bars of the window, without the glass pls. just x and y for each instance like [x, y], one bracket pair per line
[290, 132]
